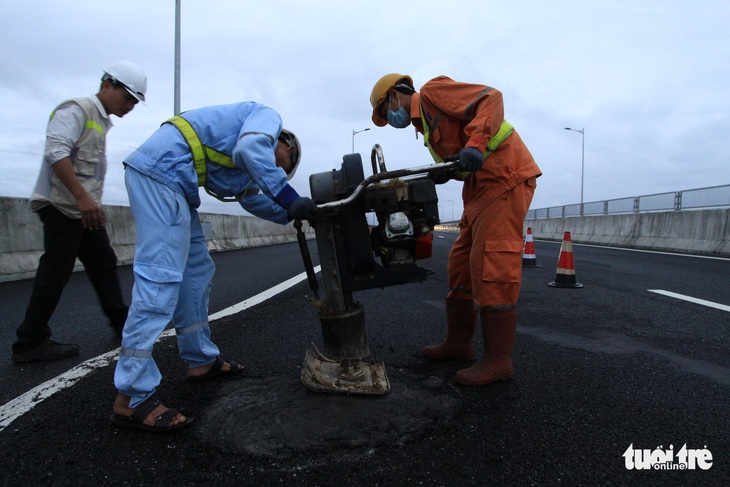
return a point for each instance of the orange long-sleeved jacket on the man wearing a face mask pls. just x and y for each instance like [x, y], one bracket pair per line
[464, 115]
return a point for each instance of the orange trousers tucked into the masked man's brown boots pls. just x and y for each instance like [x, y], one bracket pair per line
[485, 262]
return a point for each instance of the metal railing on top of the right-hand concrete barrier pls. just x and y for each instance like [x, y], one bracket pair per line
[691, 199]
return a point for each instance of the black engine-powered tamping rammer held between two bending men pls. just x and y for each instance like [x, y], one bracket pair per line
[405, 204]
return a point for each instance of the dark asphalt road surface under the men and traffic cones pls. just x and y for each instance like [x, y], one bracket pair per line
[630, 371]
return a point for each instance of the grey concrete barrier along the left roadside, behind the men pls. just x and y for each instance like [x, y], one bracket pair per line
[21, 240]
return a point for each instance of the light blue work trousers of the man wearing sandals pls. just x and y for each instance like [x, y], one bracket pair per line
[172, 275]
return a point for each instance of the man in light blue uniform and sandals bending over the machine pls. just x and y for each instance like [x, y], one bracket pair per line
[236, 152]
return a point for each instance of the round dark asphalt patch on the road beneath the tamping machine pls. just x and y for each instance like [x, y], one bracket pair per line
[279, 417]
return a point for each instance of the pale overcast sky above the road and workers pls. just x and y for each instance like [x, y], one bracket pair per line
[648, 80]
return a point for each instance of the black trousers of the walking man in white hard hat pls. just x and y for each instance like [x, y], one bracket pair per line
[64, 240]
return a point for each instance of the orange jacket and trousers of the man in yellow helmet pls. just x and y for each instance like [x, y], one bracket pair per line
[485, 260]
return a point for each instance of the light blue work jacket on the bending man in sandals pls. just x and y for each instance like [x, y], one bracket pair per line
[248, 132]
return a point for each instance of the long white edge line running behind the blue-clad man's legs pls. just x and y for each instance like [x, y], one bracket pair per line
[17, 407]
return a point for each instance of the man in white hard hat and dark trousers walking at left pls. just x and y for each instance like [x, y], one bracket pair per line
[67, 198]
